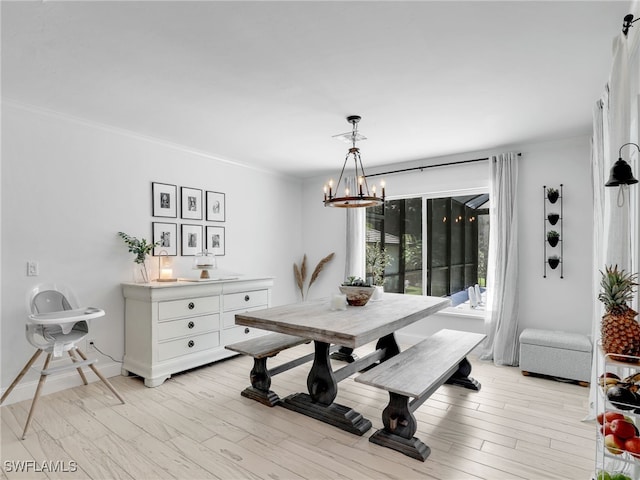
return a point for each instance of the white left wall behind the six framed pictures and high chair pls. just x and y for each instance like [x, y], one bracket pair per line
[68, 187]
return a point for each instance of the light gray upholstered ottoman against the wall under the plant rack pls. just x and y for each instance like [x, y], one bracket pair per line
[555, 353]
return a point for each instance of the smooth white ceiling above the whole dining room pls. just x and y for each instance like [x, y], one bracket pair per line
[269, 83]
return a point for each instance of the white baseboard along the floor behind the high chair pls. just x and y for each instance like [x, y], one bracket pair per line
[56, 383]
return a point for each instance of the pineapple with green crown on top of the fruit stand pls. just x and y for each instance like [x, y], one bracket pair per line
[620, 331]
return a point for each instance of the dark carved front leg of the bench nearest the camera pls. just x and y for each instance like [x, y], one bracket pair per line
[399, 429]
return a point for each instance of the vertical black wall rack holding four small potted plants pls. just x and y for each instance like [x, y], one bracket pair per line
[553, 241]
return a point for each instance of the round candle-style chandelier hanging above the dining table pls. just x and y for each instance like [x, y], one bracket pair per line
[360, 197]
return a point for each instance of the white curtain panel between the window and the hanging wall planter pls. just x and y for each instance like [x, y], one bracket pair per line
[501, 319]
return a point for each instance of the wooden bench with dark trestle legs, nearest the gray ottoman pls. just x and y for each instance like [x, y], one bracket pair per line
[417, 373]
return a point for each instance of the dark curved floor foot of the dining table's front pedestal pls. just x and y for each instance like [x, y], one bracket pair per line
[334, 414]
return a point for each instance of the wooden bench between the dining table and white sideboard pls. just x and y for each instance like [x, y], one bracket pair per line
[261, 348]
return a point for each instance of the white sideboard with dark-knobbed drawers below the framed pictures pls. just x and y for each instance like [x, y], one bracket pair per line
[171, 327]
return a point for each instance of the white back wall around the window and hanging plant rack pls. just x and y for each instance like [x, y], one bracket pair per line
[551, 303]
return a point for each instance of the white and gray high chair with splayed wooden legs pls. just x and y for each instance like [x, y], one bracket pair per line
[55, 325]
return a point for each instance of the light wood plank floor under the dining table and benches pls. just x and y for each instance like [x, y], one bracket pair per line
[197, 426]
